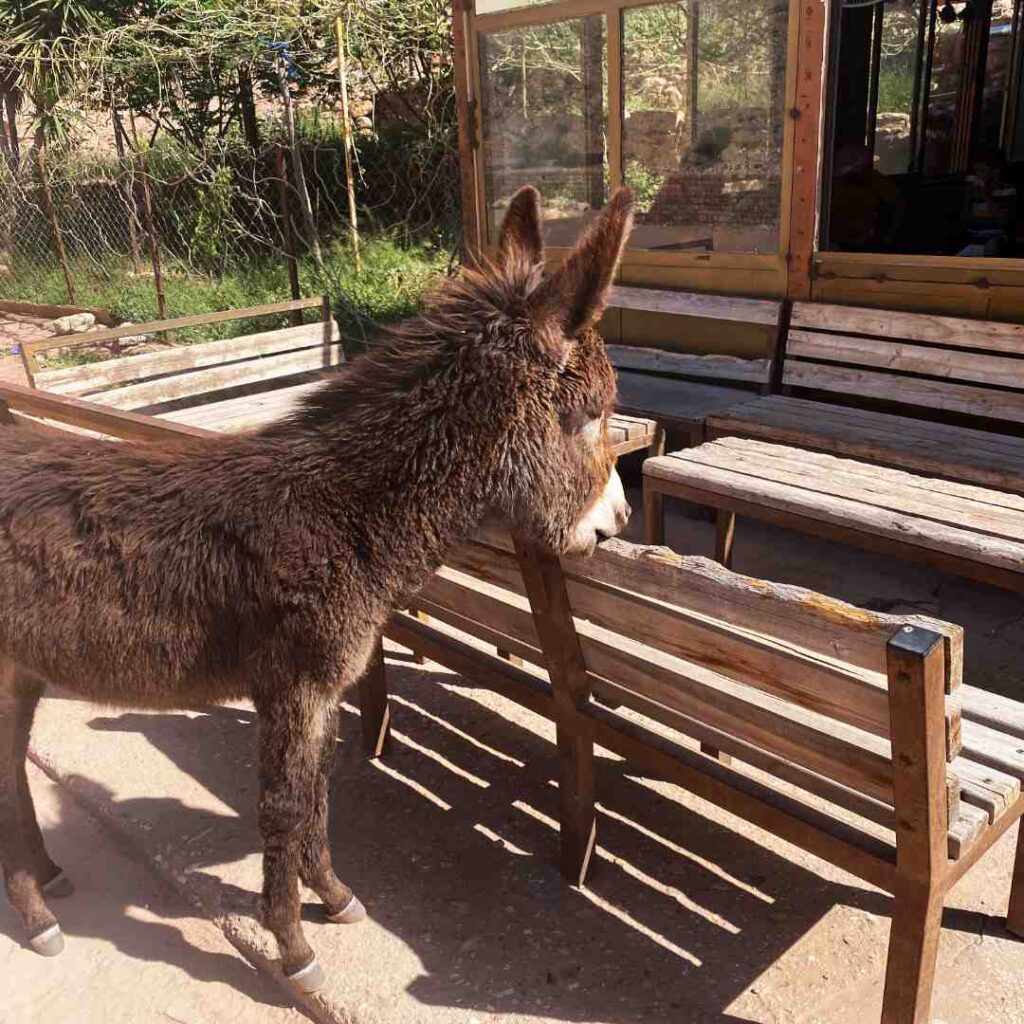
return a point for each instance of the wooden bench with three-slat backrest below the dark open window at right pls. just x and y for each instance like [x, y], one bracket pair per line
[933, 395]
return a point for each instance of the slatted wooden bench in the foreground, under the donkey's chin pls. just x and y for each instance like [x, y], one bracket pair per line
[848, 731]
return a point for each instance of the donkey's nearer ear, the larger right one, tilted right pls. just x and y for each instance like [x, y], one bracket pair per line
[577, 294]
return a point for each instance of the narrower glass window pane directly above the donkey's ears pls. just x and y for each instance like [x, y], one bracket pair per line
[544, 91]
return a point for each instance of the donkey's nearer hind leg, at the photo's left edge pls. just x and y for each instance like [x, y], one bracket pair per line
[22, 854]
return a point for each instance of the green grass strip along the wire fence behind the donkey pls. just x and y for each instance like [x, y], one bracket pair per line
[389, 288]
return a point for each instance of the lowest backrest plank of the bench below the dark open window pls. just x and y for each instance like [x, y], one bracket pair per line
[923, 395]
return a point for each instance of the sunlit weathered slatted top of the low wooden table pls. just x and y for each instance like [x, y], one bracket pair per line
[962, 522]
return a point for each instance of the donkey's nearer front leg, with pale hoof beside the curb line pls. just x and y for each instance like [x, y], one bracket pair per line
[293, 723]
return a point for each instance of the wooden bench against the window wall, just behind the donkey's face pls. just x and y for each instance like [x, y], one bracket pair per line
[682, 390]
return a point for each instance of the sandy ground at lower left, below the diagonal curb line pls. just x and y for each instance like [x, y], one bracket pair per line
[137, 952]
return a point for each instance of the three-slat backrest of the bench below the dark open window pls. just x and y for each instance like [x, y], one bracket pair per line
[927, 365]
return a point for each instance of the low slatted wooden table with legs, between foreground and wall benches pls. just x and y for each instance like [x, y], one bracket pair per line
[970, 531]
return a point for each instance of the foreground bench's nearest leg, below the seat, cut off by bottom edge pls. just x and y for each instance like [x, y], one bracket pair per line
[914, 945]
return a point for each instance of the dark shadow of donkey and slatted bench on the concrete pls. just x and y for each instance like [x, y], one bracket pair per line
[453, 846]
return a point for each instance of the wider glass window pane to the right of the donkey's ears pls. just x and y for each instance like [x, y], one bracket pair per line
[704, 92]
